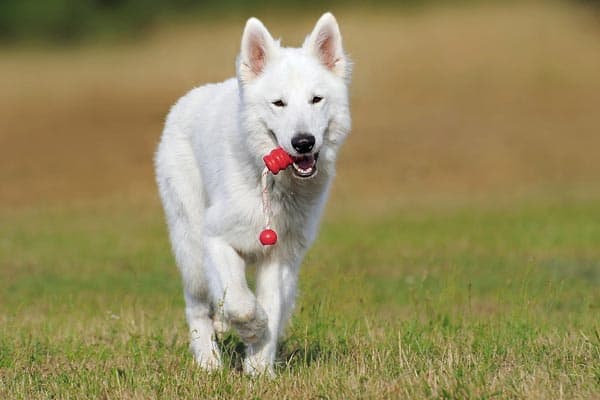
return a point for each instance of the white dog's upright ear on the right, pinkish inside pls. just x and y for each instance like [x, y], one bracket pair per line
[325, 43]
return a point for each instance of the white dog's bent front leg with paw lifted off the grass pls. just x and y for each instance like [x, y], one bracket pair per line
[233, 299]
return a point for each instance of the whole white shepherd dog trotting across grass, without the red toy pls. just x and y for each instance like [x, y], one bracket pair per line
[208, 169]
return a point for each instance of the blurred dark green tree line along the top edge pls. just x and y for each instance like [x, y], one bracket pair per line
[74, 20]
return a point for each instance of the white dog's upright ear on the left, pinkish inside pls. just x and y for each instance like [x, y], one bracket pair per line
[258, 48]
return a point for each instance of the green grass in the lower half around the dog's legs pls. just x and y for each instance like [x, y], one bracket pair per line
[467, 302]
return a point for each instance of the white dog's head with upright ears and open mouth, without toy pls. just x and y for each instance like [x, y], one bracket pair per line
[296, 98]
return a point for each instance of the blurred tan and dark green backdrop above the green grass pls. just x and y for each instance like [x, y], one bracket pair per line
[453, 101]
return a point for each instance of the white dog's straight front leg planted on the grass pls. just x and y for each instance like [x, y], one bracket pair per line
[275, 291]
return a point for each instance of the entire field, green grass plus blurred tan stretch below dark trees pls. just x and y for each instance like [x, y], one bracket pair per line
[459, 256]
